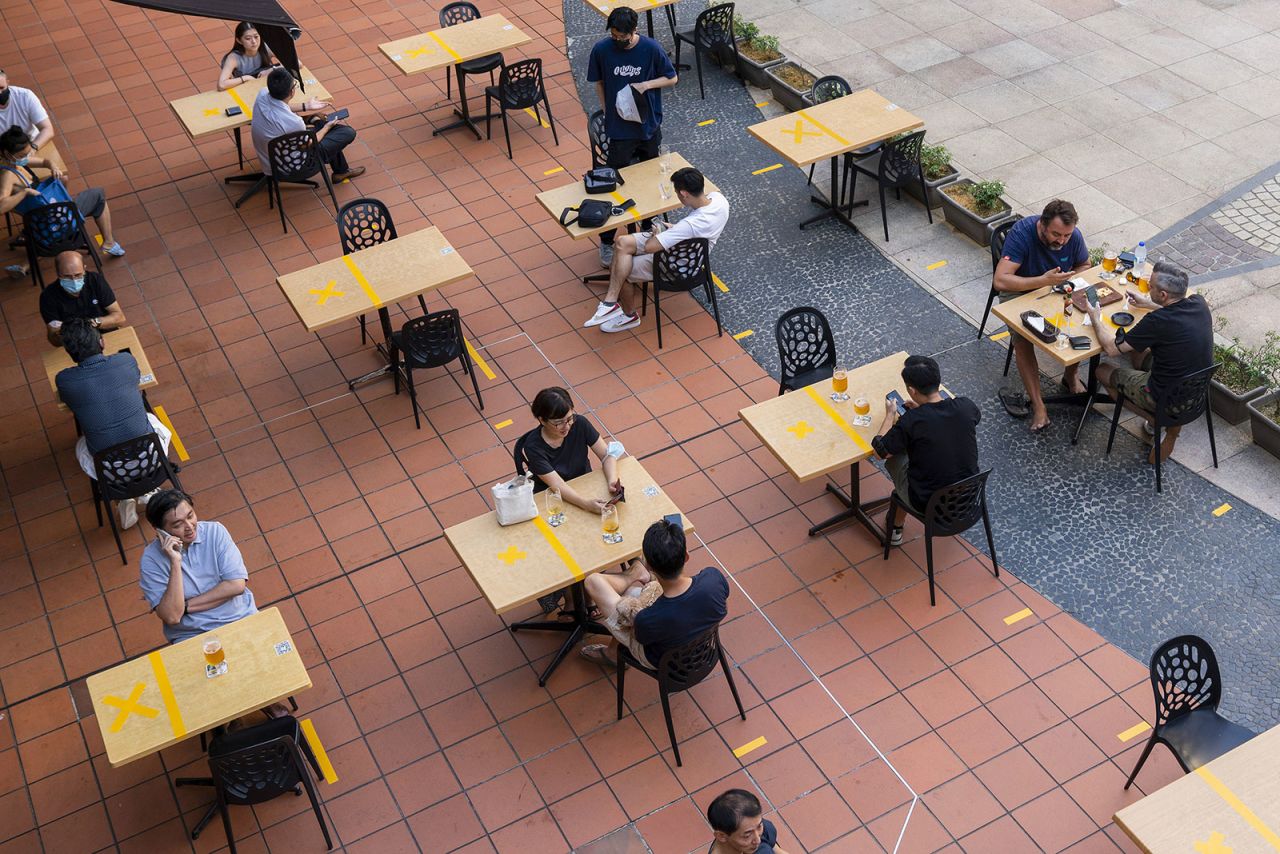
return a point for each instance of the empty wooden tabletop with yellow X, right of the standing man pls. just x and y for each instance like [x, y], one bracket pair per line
[835, 127]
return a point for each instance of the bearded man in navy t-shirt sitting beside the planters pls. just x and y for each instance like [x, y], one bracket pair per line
[1040, 252]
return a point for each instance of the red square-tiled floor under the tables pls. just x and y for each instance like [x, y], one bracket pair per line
[429, 707]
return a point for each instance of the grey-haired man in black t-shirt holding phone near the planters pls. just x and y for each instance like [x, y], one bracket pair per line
[1169, 344]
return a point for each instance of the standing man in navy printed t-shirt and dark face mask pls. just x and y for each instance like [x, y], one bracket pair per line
[627, 58]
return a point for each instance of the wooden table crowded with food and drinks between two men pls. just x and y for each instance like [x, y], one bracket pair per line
[1050, 304]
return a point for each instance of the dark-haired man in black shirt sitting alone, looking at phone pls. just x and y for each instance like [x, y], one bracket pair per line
[934, 445]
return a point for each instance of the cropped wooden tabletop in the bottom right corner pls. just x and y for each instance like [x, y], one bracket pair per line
[1231, 805]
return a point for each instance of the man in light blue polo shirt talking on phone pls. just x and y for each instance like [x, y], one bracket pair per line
[193, 574]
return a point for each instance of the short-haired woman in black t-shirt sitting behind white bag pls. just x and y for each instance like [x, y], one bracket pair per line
[557, 451]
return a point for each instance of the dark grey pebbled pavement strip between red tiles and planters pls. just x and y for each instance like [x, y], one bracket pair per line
[1086, 531]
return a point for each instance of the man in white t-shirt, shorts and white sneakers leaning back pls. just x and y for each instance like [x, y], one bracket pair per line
[633, 254]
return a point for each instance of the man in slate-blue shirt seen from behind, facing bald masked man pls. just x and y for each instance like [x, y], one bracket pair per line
[103, 395]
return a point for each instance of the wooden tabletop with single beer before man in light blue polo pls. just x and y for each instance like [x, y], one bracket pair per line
[163, 698]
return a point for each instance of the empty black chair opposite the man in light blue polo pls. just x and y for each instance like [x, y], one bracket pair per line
[257, 765]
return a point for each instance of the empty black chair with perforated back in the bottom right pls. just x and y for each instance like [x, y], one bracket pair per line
[1188, 688]
